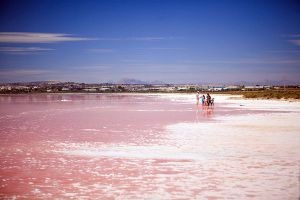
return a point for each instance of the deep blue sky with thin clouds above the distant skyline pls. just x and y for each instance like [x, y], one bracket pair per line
[171, 41]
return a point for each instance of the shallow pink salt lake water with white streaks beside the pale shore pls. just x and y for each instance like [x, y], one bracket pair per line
[118, 146]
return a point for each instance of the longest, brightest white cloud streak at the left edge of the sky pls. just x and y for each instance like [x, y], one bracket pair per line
[29, 37]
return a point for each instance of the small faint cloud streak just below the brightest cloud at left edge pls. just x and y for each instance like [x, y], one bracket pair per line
[23, 50]
